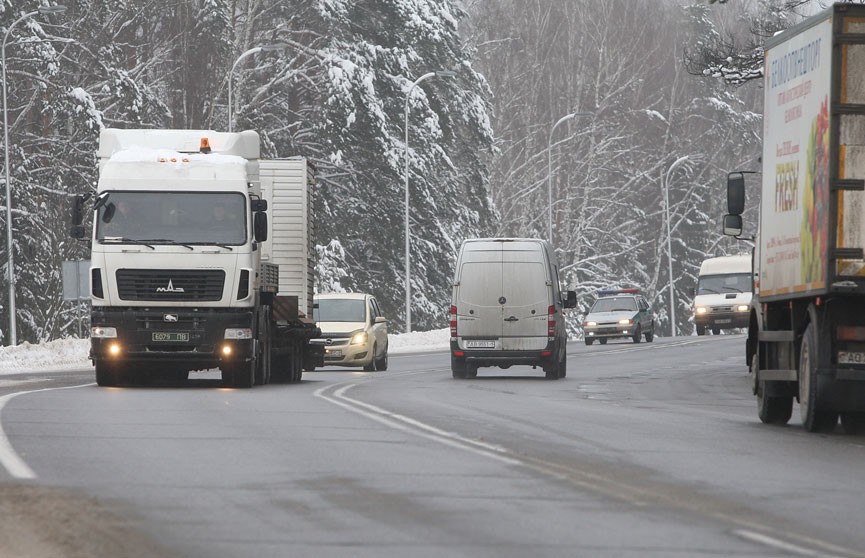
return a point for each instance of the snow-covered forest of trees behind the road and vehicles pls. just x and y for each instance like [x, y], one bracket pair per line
[668, 94]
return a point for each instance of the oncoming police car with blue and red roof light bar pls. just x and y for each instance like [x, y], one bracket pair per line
[623, 313]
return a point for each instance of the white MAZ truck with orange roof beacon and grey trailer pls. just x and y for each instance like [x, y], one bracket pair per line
[187, 271]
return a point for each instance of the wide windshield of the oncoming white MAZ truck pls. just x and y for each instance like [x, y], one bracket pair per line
[173, 218]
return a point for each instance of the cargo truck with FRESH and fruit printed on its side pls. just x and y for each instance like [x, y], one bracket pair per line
[806, 332]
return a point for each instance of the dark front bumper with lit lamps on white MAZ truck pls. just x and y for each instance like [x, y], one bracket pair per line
[191, 338]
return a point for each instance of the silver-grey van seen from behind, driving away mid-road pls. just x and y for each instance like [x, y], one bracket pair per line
[507, 307]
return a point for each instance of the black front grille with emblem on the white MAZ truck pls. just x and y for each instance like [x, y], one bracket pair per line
[170, 284]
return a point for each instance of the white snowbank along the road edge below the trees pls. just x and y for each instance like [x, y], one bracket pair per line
[72, 353]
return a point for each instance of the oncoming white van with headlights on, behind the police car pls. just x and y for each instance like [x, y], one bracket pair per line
[724, 290]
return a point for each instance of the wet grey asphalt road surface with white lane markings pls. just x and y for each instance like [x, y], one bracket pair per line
[649, 450]
